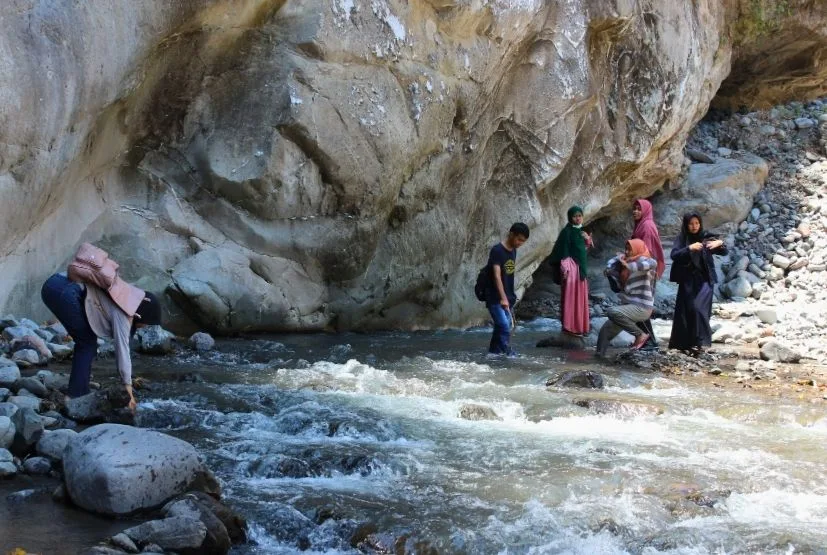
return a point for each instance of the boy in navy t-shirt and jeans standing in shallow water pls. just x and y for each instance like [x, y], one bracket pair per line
[500, 298]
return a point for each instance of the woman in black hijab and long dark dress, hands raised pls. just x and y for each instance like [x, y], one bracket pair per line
[693, 269]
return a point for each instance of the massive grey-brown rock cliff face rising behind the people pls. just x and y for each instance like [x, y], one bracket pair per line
[286, 187]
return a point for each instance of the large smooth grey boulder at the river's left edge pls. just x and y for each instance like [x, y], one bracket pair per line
[117, 470]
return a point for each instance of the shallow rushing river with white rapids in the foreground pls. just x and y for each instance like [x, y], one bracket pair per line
[324, 442]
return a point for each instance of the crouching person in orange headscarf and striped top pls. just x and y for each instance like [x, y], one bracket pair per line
[637, 297]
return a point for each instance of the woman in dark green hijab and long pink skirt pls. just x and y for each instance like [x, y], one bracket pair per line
[568, 261]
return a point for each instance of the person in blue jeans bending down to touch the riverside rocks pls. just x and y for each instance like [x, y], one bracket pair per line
[88, 312]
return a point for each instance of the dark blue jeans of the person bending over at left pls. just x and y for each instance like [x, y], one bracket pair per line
[66, 301]
